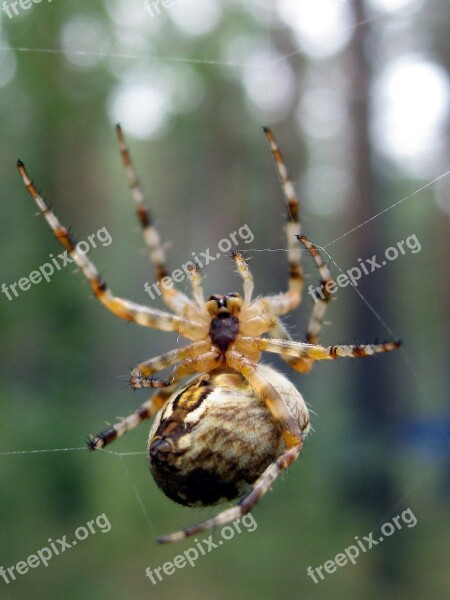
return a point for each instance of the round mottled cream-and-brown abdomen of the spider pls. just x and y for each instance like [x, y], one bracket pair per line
[214, 438]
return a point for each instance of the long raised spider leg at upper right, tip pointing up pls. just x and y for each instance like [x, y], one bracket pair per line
[287, 301]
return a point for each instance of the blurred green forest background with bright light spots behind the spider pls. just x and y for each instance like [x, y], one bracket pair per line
[357, 93]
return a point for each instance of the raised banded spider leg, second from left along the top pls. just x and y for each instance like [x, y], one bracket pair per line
[173, 298]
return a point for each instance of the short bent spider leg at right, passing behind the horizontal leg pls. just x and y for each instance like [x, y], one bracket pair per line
[316, 320]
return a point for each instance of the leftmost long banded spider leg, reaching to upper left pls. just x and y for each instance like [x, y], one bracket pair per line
[142, 315]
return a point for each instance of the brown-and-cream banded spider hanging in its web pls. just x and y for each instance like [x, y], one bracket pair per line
[236, 424]
